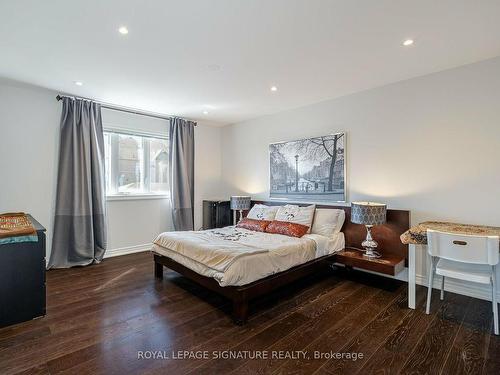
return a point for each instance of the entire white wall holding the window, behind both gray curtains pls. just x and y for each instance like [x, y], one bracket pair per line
[29, 137]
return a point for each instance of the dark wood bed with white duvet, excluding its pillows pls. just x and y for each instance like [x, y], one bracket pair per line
[243, 264]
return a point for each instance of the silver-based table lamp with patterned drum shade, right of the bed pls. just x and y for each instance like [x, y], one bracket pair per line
[369, 214]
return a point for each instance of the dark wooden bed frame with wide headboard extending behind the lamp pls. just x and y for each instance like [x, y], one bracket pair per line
[387, 235]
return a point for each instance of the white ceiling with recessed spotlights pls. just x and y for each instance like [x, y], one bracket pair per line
[311, 49]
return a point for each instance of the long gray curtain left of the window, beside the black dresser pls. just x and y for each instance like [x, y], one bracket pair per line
[80, 219]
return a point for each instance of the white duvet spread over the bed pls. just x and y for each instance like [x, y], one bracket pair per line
[236, 256]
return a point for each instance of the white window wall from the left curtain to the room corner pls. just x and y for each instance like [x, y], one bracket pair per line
[135, 223]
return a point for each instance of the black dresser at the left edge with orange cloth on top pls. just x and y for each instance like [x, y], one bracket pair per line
[22, 279]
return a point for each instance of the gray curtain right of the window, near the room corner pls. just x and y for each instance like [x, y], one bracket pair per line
[181, 176]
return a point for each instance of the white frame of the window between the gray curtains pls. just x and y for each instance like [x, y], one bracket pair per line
[147, 180]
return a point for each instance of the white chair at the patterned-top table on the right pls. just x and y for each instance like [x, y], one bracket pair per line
[465, 257]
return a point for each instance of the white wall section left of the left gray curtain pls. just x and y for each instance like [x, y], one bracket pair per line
[29, 134]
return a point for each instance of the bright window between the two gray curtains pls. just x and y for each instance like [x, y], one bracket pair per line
[135, 164]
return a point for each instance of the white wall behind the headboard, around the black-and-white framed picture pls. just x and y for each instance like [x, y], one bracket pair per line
[429, 144]
